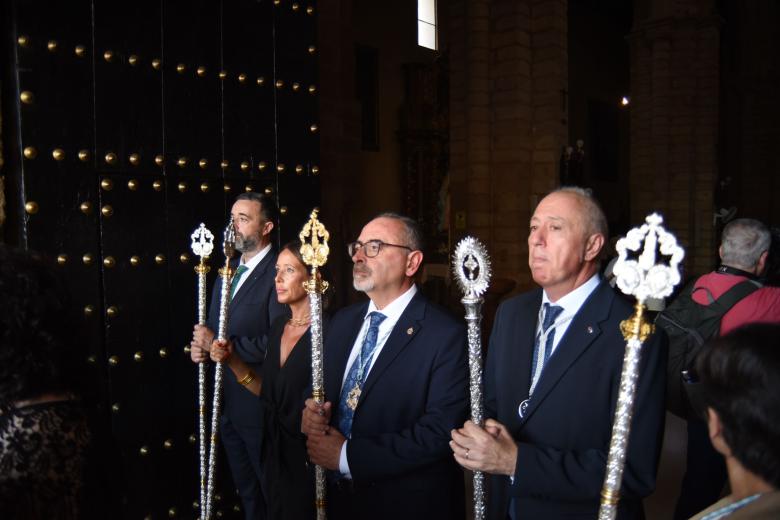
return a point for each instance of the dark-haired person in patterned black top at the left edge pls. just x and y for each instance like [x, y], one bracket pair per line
[44, 435]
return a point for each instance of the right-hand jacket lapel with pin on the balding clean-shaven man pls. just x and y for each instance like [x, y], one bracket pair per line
[583, 330]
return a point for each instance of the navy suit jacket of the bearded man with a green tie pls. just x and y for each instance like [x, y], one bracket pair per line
[250, 314]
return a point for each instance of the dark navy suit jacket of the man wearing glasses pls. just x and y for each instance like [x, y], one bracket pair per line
[415, 393]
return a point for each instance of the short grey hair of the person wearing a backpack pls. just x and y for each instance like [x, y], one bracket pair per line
[743, 242]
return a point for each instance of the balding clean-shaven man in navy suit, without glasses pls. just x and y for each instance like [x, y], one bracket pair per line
[552, 378]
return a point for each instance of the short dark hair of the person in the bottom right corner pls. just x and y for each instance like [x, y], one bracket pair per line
[740, 377]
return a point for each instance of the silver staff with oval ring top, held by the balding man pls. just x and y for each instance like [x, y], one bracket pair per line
[471, 266]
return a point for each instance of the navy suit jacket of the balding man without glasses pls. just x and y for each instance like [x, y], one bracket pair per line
[563, 441]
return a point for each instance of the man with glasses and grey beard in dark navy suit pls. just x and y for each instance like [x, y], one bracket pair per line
[396, 379]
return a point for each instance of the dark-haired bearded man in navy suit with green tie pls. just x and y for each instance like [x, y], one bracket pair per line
[253, 307]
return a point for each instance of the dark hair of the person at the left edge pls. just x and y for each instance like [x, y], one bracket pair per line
[37, 353]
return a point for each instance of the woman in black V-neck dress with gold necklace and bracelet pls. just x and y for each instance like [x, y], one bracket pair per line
[285, 377]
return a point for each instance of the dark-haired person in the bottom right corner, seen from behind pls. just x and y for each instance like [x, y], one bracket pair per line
[740, 386]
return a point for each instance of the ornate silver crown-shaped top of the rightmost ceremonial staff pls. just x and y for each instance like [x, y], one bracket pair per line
[642, 277]
